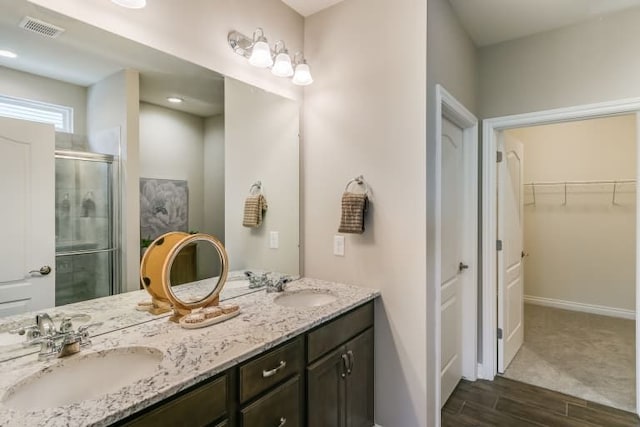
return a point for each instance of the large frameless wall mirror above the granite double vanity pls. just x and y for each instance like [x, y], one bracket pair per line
[126, 154]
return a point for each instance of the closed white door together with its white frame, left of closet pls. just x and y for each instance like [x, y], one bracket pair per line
[456, 231]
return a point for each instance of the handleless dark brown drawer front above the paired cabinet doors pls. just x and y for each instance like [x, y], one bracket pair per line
[338, 331]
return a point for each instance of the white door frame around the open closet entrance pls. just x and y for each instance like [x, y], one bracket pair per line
[492, 128]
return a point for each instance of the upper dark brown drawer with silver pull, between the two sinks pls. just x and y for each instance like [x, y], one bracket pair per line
[268, 370]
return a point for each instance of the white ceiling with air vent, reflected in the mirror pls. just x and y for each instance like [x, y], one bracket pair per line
[84, 55]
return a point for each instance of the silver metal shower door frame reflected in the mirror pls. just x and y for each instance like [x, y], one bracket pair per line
[114, 223]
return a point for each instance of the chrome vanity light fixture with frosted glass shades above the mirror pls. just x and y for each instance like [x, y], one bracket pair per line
[259, 54]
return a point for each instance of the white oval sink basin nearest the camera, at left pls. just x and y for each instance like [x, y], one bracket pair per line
[83, 377]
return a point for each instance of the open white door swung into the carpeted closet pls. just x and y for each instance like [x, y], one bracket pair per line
[510, 271]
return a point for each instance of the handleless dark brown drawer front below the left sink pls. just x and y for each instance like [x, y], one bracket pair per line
[199, 407]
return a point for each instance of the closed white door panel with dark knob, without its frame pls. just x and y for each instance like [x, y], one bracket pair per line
[452, 264]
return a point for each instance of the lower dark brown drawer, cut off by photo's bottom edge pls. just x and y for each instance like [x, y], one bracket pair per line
[279, 408]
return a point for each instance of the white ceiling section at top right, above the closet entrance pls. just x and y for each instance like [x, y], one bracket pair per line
[495, 21]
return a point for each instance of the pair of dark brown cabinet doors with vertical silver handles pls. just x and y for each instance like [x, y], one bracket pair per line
[340, 385]
